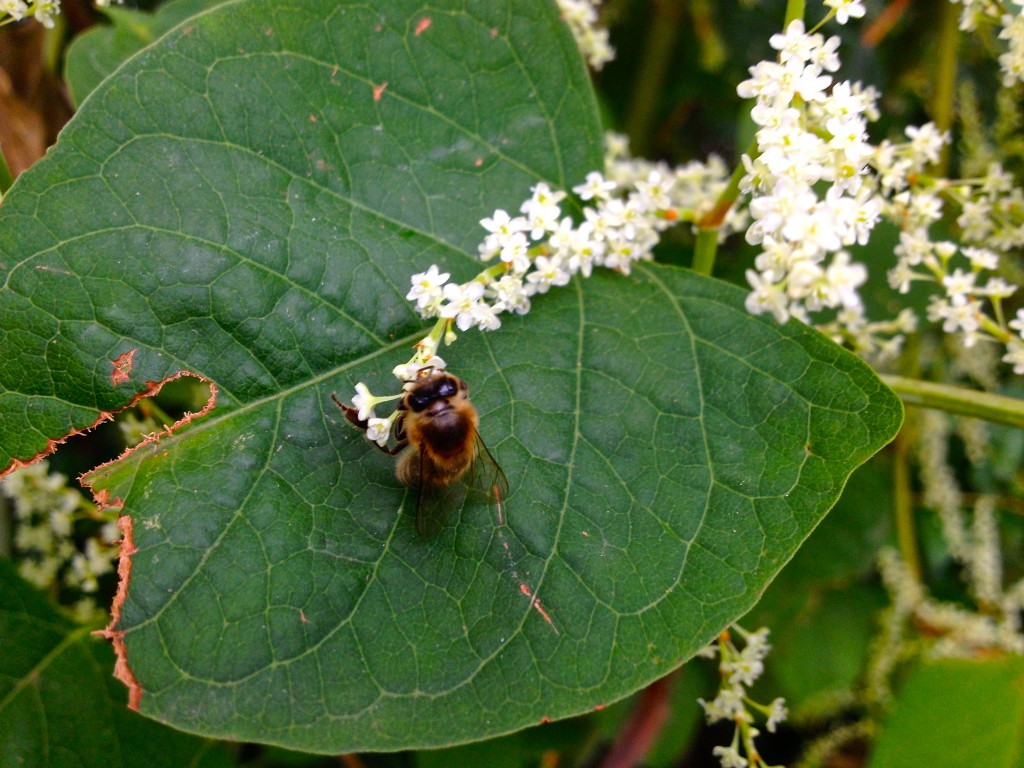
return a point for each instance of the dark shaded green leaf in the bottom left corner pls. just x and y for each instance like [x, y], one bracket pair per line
[61, 707]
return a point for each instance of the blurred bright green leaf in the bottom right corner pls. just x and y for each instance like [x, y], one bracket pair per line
[956, 713]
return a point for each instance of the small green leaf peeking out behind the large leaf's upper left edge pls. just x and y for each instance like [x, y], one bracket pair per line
[98, 53]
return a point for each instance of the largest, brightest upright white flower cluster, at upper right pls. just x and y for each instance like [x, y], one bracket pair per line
[810, 132]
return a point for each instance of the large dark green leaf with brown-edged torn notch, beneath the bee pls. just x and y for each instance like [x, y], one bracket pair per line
[246, 201]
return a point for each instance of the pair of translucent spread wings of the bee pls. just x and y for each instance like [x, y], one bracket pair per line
[483, 482]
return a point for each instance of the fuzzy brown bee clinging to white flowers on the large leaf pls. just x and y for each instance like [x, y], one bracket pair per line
[441, 453]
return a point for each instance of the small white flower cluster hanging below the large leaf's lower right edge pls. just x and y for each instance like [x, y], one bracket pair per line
[740, 669]
